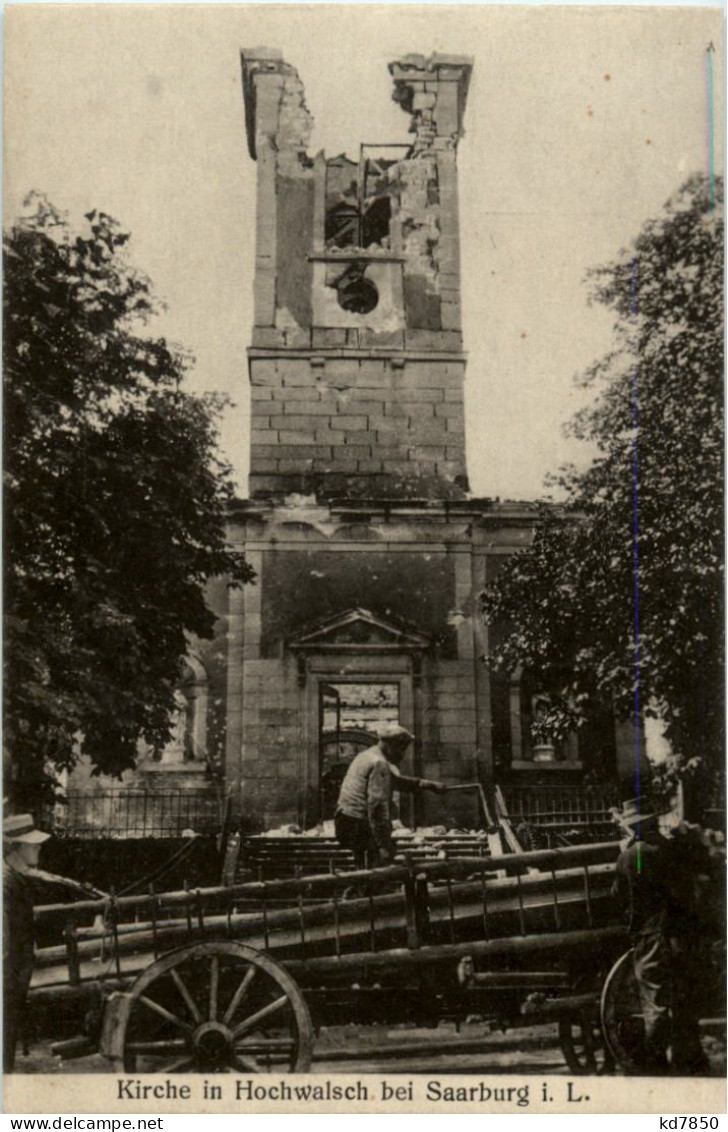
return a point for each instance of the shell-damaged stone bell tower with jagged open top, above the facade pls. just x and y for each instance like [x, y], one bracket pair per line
[357, 366]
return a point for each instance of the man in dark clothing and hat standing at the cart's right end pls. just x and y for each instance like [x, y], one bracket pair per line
[660, 880]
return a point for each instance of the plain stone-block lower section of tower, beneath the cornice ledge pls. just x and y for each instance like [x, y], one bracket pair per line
[363, 427]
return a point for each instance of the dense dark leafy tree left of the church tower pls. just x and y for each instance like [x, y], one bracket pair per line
[115, 504]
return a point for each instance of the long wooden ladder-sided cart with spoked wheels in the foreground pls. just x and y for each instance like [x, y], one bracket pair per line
[238, 979]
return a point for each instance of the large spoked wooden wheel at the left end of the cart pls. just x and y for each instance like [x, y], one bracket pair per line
[212, 1008]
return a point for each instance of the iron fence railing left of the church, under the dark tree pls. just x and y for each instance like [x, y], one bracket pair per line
[131, 814]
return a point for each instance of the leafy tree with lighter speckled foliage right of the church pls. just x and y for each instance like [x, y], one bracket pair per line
[619, 602]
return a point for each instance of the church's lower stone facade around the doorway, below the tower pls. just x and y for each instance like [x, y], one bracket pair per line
[361, 595]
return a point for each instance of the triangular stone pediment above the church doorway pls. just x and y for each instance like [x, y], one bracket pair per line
[361, 631]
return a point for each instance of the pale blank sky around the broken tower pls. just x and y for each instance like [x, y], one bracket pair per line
[580, 125]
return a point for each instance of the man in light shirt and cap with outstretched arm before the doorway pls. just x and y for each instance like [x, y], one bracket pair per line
[364, 812]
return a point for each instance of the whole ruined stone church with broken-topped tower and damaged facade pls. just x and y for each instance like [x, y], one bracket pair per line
[371, 553]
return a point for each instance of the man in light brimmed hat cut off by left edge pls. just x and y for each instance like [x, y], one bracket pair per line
[22, 850]
